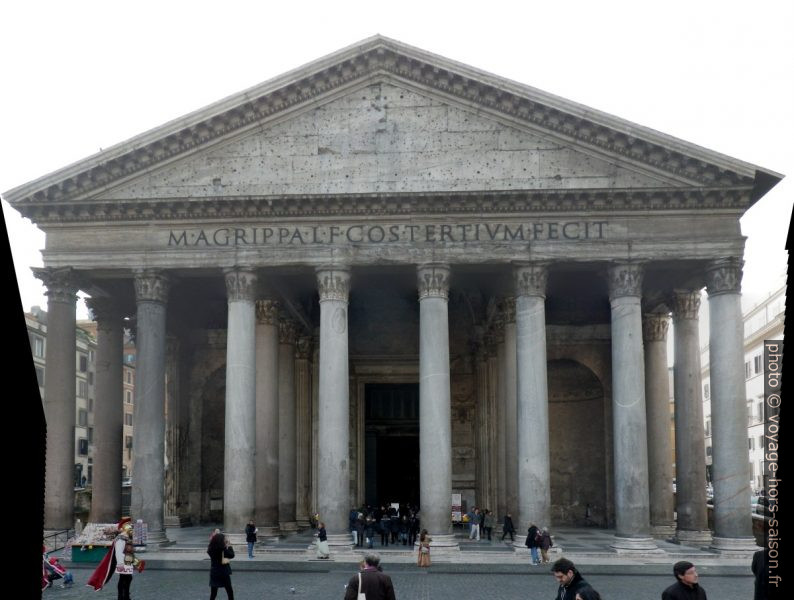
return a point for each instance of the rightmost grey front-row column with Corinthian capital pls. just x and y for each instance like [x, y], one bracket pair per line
[732, 522]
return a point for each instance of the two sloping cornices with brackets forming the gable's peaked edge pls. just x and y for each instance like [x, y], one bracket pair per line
[380, 56]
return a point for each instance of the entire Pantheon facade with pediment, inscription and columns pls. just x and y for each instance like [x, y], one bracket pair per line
[387, 276]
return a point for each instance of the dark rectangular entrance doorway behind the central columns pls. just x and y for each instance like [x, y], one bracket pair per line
[391, 429]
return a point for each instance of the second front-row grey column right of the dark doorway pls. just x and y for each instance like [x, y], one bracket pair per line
[534, 474]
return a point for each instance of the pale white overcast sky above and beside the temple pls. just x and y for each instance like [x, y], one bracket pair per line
[84, 75]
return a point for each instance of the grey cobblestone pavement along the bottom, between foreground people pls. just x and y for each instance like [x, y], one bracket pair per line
[409, 584]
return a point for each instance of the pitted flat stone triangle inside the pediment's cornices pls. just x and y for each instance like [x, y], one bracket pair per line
[385, 138]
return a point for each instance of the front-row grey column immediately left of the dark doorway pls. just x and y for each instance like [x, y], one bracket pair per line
[334, 426]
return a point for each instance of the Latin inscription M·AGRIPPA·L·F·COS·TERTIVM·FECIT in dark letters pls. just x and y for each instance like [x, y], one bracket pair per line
[441, 233]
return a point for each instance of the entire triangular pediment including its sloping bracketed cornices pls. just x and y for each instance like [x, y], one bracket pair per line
[583, 147]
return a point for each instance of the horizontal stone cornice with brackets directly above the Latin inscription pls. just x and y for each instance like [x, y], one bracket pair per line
[383, 204]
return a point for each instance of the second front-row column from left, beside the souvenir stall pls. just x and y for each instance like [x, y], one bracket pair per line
[148, 444]
